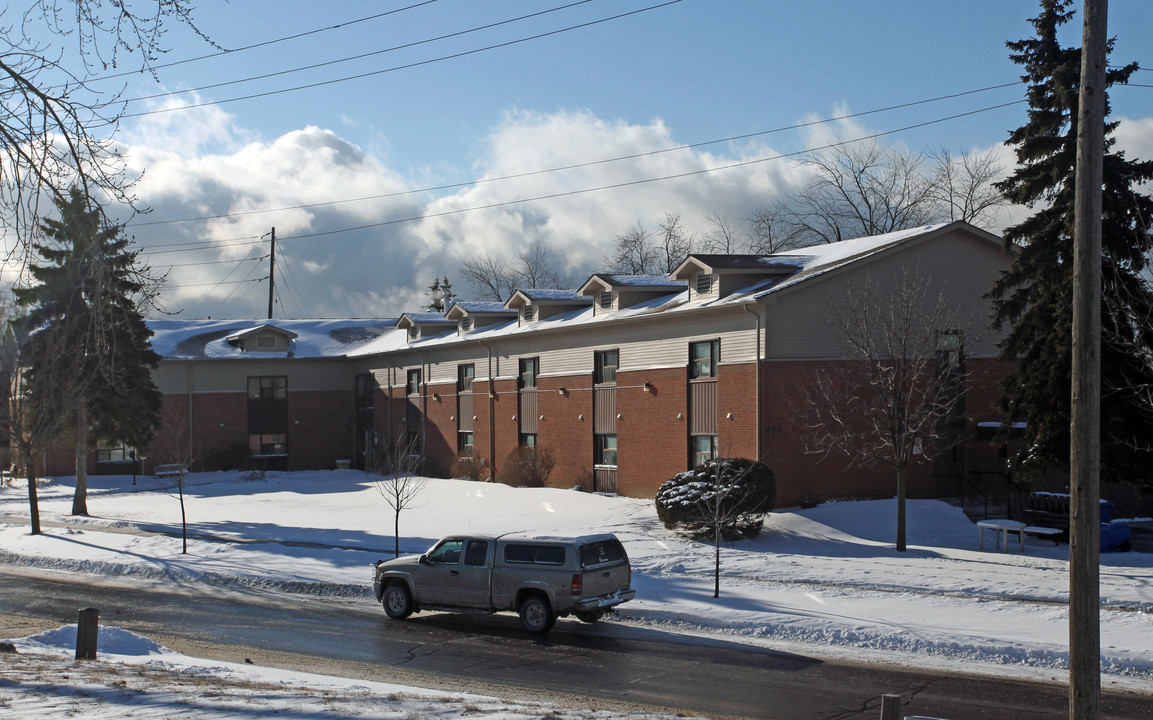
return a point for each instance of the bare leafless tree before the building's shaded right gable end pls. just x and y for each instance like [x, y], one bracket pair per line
[895, 396]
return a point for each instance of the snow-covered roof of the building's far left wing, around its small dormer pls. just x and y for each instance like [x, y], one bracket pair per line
[314, 339]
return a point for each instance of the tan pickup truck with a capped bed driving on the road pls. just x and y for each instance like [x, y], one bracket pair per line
[541, 577]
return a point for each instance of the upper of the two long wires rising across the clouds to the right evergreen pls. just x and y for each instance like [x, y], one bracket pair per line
[589, 164]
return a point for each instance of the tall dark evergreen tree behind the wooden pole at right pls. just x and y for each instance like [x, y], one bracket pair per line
[1034, 298]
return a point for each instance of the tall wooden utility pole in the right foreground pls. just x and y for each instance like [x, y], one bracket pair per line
[1086, 424]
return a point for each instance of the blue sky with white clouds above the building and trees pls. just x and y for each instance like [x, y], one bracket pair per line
[685, 73]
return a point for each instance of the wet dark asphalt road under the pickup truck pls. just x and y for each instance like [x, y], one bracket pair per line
[608, 663]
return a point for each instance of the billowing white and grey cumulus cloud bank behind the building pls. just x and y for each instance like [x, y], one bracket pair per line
[201, 164]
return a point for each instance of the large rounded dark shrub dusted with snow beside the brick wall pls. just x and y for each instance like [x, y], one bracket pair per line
[734, 494]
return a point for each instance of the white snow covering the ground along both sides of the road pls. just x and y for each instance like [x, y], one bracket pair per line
[825, 581]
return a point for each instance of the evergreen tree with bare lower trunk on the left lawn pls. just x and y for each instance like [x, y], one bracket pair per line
[85, 299]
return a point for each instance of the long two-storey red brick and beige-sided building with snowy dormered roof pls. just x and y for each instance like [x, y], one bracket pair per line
[628, 379]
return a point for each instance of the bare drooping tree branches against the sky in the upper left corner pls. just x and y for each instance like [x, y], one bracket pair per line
[56, 124]
